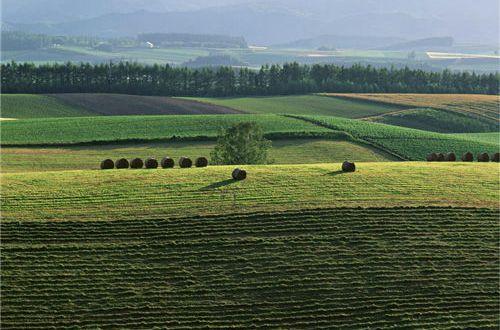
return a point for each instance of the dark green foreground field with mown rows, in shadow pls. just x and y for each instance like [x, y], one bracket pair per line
[345, 268]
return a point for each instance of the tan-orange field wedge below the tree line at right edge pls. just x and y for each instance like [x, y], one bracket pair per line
[482, 106]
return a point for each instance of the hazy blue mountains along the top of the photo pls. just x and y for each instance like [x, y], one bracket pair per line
[261, 21]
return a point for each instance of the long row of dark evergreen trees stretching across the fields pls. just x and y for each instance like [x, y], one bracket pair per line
[292, 78]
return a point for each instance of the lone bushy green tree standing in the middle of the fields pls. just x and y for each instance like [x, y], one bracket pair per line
[241, 144]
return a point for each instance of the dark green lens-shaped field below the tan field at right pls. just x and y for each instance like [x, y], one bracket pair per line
[436, 121]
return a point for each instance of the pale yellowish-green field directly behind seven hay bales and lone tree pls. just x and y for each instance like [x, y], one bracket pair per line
[290, 151]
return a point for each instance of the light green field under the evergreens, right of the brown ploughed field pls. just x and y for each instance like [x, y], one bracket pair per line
[303, 105]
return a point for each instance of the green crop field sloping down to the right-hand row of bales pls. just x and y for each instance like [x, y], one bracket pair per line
[408, 143]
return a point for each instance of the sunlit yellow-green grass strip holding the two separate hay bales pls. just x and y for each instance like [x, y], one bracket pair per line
[151, 194]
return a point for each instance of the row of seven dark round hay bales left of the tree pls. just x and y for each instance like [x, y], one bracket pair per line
[152, 163]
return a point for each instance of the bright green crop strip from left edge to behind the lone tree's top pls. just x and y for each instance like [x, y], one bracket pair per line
[60, 131]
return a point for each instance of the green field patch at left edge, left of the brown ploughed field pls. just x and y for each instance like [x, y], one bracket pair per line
[37, 106]
